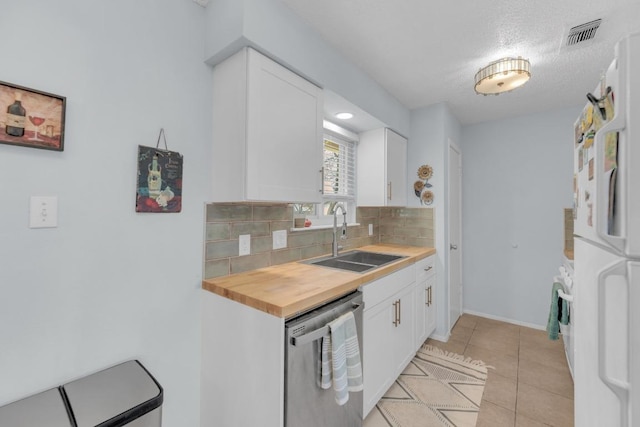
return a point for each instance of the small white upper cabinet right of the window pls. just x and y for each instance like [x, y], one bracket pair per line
[382, 168]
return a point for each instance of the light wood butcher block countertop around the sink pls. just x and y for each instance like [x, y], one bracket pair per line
[286, 290]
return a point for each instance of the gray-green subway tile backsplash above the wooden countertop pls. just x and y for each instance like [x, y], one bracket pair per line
[226, 221]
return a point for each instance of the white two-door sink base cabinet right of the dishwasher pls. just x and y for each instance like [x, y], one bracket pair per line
[388, 332]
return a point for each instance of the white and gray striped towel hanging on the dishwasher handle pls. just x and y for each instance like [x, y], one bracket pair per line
[340, 358]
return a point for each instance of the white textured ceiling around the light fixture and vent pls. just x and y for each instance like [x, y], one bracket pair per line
[427, 51]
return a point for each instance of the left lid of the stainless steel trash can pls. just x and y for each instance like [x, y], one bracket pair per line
[40, 410]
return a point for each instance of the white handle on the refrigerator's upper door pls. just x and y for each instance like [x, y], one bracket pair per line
[617, 123]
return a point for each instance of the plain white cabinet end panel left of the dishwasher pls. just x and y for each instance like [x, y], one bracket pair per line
[242, 371]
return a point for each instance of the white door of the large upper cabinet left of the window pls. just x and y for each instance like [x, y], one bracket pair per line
[284, 134]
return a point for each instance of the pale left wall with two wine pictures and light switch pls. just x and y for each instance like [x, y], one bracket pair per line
[108, 284]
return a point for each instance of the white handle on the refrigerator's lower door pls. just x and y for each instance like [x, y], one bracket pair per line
[620, 388]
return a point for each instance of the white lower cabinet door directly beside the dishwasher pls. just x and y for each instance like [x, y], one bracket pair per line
[378, 351]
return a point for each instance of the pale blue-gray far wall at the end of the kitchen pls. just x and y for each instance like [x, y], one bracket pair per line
[516, 179]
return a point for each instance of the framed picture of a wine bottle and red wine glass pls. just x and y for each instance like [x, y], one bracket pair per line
[31, 118]
